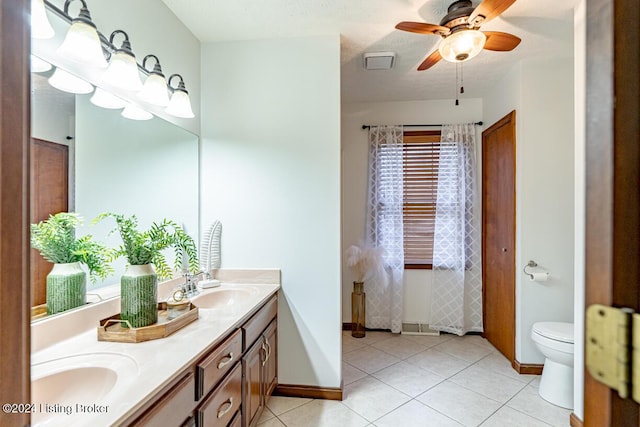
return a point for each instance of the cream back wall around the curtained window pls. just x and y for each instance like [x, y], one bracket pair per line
[354, 182]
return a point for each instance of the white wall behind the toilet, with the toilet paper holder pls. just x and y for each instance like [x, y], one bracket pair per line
[541, 92]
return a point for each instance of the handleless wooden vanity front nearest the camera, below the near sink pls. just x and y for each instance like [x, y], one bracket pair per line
[173, 408]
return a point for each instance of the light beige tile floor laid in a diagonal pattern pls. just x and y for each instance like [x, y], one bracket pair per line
[412, 381]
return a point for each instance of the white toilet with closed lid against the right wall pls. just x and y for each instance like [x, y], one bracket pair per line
[555, 341]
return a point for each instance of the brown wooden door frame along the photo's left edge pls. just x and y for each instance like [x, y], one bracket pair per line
[15, 360]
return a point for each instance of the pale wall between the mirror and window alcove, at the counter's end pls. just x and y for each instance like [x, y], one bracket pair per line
[270, 172]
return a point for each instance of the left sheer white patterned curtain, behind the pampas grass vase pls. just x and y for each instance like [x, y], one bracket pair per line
[384, 225]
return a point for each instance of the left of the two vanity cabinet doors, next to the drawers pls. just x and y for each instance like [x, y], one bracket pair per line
[252, 391]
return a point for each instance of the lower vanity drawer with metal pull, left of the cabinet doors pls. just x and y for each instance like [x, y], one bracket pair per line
[223, 403]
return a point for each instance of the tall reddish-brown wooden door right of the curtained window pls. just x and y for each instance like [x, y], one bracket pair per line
[498, 234]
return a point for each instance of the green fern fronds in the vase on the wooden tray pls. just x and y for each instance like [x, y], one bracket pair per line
[145, 247]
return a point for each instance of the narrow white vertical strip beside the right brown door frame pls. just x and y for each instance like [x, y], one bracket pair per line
[580, 42]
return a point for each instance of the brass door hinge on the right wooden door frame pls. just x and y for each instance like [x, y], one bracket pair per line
[613, 348]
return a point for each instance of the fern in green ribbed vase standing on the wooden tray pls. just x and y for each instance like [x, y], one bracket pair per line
[143, 251]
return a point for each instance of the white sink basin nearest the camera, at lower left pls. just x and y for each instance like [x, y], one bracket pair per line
[65, 388]
